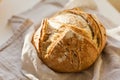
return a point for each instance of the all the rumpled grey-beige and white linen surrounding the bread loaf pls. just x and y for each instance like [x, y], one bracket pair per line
[107, 66]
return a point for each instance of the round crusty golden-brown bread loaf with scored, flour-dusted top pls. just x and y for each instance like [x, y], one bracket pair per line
[70, 41]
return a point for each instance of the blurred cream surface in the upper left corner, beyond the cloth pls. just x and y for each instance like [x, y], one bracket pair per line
[9, 8]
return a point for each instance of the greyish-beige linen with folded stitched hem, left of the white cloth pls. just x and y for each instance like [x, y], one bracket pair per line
[10, 52]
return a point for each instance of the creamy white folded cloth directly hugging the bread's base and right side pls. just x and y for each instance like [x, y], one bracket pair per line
[105, 68]
